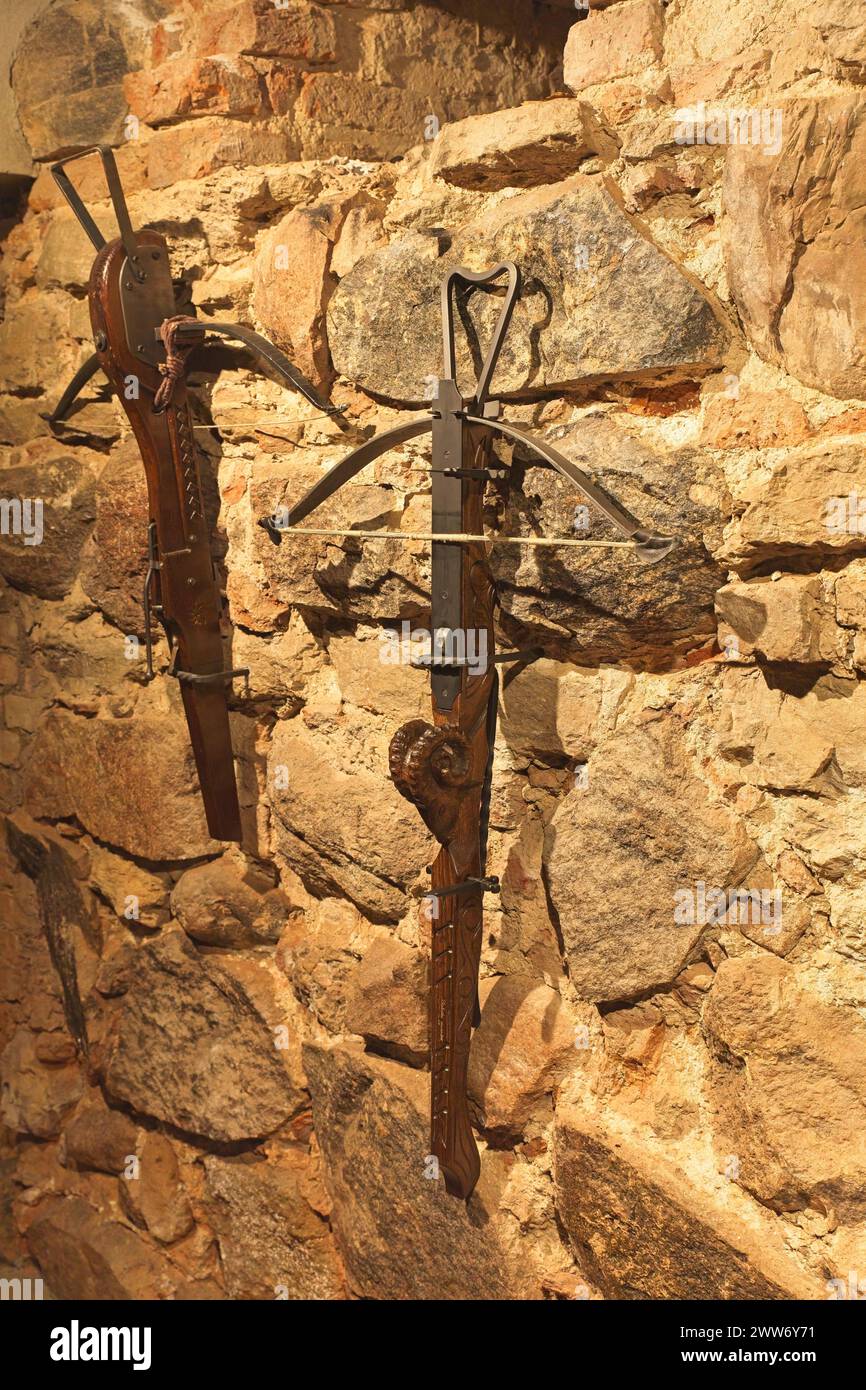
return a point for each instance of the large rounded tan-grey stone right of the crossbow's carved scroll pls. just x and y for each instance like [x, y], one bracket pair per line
[619, 850]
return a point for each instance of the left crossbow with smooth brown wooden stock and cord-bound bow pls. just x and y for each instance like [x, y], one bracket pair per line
[142, 344]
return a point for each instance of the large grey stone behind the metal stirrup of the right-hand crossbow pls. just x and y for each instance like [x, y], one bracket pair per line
[600, 302]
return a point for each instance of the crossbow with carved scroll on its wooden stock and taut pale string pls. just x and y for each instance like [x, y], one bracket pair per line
[446, 768]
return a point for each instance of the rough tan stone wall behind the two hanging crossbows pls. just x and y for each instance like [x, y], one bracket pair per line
[213, 1060]
